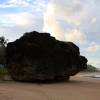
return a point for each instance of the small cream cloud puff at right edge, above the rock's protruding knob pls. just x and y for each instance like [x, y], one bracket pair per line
[93, 47]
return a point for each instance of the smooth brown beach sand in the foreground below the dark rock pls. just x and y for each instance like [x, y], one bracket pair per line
[79, 88]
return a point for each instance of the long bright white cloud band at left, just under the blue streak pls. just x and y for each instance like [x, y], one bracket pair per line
[19, 19]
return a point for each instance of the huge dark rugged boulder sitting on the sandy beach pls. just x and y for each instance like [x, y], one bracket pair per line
[40, 56]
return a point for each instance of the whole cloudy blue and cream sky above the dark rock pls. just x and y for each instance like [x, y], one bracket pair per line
[68, 20]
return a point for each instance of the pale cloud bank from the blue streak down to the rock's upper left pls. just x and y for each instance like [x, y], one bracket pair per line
[14, 25]
